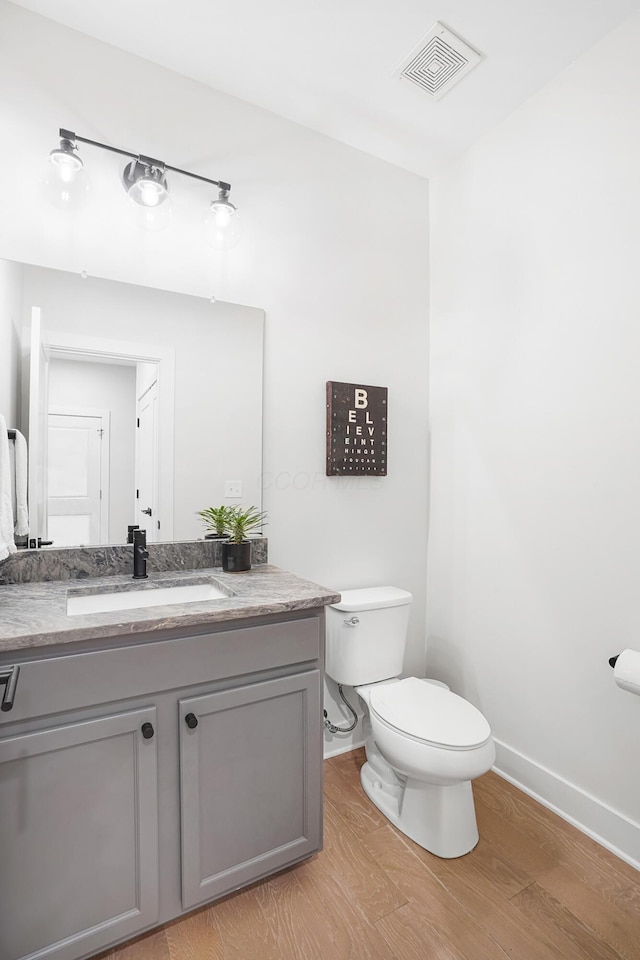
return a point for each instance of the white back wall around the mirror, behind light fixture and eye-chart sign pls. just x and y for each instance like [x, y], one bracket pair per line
[335, 249]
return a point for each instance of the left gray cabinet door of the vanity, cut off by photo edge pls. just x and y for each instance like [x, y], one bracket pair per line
[79, 829]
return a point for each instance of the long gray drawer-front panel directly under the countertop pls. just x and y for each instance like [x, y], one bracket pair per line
[73, 681]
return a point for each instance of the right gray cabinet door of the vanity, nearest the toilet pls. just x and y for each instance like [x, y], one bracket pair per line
[251, 795]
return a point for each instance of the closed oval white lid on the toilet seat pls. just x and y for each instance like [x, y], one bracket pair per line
[430, 713]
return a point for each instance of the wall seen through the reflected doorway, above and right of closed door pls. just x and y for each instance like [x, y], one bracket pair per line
[105, 386]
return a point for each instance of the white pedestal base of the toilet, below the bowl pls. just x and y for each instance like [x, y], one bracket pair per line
[442, 819]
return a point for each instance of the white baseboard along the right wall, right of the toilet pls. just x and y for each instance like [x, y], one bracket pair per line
[602, 823]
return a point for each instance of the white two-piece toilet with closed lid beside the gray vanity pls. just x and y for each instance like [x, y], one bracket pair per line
[424, 744]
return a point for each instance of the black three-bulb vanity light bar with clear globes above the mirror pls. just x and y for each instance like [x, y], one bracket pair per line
[144, 179]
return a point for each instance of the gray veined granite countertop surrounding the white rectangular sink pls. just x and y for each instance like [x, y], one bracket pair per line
[34, 614]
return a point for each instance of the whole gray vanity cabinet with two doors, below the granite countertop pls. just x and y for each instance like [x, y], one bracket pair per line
[139, 781]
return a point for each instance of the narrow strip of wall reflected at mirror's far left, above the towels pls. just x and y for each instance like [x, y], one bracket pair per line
[10, 324]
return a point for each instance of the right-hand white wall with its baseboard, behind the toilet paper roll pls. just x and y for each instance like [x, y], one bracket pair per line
[534, 559]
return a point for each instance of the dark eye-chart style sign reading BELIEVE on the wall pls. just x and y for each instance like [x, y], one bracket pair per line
[356, 430]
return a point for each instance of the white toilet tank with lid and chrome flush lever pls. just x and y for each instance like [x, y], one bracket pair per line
[367, 635]
